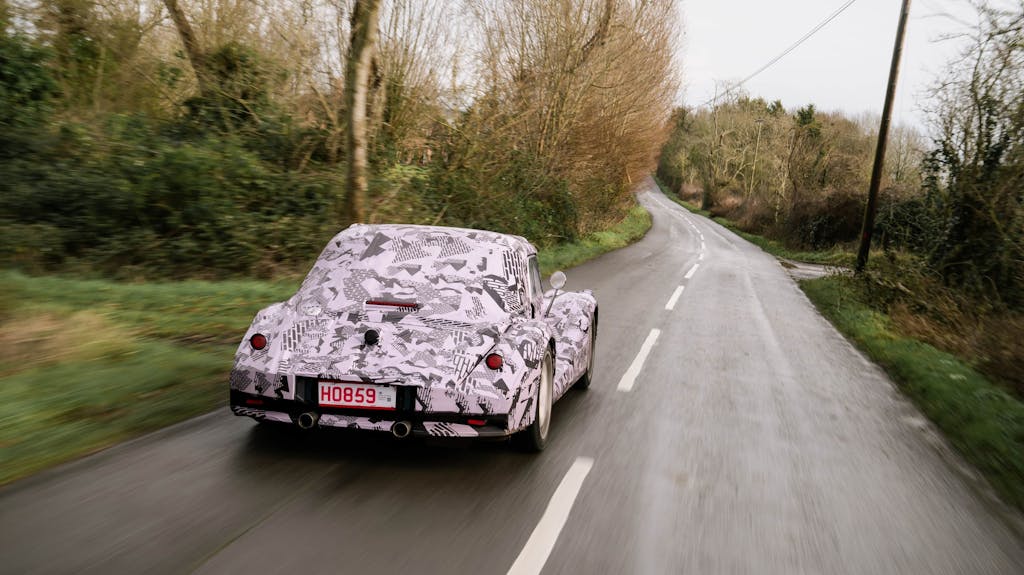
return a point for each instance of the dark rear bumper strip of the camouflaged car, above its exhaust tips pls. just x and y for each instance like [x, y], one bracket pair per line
[423, 424]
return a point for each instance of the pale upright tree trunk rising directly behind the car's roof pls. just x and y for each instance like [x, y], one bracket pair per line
[358, 68]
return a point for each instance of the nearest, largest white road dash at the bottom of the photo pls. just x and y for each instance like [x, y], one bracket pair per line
[542, 541]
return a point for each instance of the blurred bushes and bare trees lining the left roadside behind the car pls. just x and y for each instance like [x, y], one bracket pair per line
[126, 154]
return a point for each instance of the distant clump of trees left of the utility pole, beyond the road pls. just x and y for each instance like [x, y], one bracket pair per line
[798, 179]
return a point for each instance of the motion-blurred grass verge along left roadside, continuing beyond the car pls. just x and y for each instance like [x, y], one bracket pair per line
[86, 364]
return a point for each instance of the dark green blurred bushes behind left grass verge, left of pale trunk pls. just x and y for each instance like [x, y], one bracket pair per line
[129, 200]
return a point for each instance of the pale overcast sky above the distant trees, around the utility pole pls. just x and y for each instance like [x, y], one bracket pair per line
[844, 67]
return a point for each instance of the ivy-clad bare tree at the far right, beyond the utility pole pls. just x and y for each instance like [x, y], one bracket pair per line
[975, 172]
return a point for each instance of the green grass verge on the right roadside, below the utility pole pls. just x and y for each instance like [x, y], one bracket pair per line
[985, 423]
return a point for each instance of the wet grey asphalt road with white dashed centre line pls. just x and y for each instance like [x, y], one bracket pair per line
[752, 439]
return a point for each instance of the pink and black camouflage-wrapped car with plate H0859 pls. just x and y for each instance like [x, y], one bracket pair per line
[419, 331]
